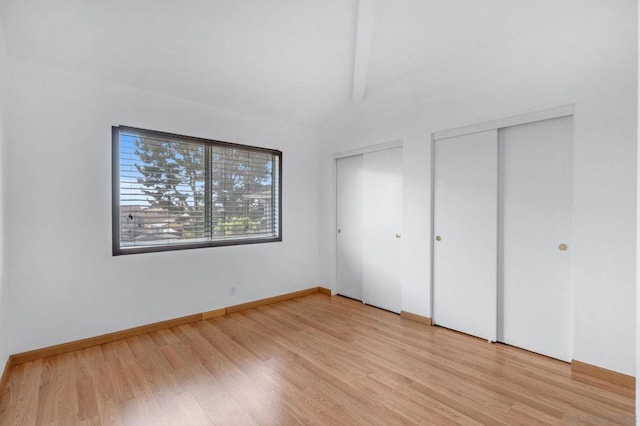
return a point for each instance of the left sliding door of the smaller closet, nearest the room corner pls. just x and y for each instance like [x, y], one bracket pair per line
[349, 200]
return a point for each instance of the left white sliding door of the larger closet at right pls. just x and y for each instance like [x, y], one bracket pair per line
[465, 223]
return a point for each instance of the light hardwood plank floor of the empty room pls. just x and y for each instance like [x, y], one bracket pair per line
[312, 360]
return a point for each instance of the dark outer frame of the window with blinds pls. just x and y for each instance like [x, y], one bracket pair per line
[118, 250]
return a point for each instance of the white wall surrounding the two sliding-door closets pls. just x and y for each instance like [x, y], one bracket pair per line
[592, 66]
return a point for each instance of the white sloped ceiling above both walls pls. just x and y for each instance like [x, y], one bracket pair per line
[293, 60]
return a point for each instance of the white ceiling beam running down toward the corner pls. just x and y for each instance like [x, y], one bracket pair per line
[364, 36]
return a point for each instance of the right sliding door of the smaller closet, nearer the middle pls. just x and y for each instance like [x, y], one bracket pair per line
[382, 248]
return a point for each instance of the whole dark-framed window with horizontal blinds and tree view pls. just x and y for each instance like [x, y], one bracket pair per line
[174, 192]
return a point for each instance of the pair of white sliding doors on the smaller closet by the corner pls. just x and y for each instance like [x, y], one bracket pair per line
[369, 219]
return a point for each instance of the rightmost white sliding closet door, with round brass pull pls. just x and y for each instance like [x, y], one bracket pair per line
[536, 217]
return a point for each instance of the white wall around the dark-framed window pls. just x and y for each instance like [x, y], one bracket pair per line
[64, 282]
